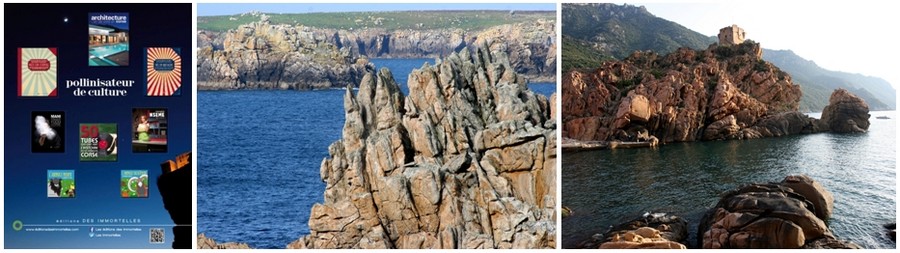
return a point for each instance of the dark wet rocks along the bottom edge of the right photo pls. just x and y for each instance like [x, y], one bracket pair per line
[790, 214]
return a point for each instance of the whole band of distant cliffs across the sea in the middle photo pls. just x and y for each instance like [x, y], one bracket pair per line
[262, 55]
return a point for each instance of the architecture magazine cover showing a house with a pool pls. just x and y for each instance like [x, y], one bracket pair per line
[108, 37]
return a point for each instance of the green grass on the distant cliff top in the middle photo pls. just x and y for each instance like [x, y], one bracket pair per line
[416, 20]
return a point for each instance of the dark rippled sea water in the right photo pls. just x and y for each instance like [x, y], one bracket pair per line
[607, 187]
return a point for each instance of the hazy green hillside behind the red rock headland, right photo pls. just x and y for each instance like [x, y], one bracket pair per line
[595, 33]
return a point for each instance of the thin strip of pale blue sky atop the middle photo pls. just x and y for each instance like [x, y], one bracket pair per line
[228, 9]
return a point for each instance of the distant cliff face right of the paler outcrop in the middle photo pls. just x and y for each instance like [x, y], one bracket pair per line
[531, 46]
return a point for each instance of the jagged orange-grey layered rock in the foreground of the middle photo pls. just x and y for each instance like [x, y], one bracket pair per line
[466, 160]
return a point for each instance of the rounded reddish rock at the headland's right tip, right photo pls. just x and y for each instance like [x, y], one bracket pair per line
[845, 113]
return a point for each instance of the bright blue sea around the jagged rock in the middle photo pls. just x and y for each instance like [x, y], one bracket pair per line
[259, 154]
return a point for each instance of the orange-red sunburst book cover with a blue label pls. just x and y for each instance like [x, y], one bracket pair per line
[163, 71]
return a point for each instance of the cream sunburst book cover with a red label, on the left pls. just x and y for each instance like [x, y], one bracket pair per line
[37, 72]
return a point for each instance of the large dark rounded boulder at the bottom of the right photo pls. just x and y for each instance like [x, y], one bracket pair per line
[789, 214]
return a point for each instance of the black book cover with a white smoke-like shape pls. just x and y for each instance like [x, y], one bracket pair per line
[48, 132]
